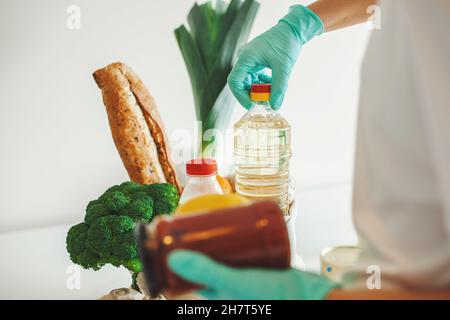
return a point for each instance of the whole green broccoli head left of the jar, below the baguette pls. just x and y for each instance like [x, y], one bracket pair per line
[107, 234]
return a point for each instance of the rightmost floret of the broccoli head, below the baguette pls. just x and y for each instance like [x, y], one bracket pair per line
[165, 197]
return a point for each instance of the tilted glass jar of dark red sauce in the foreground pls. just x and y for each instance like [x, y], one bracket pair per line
[248, 236]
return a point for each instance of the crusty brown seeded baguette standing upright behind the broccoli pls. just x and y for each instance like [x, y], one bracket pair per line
[136, 126]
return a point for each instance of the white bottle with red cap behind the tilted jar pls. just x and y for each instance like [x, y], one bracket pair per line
[202, 179]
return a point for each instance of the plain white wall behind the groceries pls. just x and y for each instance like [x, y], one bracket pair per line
[56, 148]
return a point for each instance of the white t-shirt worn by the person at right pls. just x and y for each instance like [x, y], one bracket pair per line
[402, 171]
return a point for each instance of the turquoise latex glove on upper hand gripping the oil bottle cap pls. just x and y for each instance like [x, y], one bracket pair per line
[277, 49]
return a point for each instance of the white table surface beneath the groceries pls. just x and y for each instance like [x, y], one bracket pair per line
[35, 264]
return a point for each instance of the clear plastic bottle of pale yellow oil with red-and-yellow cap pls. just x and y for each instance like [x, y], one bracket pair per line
[262, 151]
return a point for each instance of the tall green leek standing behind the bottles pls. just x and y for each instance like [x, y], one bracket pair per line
[209, 48]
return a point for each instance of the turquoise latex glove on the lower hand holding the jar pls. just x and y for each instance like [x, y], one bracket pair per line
[223, 282]
